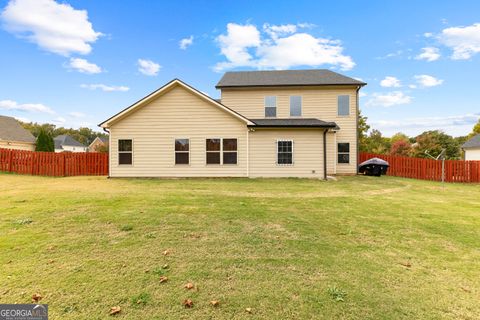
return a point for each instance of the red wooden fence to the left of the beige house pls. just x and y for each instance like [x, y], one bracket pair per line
[53, 164]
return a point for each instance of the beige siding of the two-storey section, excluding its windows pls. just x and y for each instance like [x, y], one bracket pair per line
[317, 102]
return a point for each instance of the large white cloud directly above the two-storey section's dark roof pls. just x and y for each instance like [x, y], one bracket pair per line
[281, 47]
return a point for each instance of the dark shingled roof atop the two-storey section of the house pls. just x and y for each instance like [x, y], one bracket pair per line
[314, 77]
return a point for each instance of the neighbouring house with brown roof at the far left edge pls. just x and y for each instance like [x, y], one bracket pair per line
[14, 136]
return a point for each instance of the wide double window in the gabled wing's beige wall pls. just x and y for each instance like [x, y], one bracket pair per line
[222, 151]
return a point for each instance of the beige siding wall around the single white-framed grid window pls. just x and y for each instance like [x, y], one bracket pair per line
[307, 153]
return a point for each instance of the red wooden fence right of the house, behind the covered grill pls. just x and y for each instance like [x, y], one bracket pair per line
[429, 169]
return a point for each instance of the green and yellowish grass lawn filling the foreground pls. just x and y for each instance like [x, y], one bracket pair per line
[390, 248]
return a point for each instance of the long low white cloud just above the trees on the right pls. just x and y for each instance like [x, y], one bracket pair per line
[455, 124]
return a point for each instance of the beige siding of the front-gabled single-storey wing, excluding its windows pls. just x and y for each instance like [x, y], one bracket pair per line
[176, 114]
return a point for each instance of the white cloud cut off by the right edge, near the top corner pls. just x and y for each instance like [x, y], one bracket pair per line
[464, 41]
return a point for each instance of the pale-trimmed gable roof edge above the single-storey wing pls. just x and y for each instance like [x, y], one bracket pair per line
[164, 89]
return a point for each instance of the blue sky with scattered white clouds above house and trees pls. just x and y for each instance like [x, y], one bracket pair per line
[75, 63]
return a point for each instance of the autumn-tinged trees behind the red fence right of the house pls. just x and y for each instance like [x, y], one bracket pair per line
[424, 145]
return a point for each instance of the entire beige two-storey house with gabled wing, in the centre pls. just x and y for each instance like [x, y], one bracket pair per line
[296, 123]
